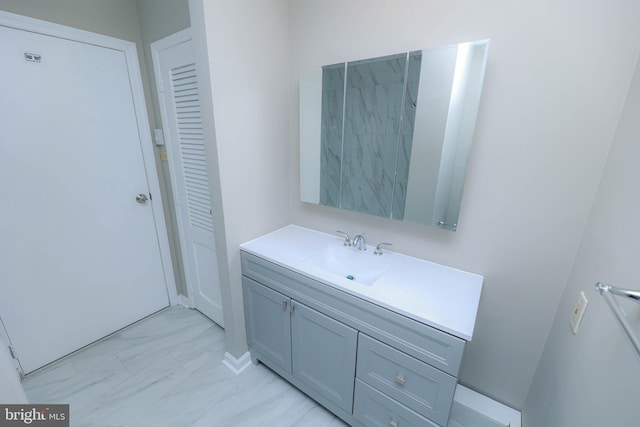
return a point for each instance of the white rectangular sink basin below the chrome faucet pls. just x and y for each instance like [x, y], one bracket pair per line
[347, 262]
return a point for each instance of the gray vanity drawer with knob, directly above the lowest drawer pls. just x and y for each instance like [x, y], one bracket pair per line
[419, 386]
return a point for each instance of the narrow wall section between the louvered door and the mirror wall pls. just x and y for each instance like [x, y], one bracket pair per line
[247, 47]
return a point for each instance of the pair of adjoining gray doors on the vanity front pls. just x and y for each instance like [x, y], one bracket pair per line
[289, 337]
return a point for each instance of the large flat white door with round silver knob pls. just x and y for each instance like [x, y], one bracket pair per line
[79, 256]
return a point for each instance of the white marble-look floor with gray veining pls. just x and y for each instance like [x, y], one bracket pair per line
[167, 370]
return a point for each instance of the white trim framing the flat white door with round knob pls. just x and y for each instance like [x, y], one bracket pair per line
[129, 49]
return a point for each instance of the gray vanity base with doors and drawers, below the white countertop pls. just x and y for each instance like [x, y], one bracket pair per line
[315, 335]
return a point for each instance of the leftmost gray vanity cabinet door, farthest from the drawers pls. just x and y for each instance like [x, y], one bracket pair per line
[268, 324]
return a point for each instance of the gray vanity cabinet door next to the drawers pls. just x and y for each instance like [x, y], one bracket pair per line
[324, 354]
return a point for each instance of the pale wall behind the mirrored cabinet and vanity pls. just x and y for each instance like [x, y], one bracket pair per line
[555, 84]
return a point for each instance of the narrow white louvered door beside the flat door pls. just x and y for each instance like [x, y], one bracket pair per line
[175, 71]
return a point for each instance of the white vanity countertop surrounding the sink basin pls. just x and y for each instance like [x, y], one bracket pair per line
[439, 296]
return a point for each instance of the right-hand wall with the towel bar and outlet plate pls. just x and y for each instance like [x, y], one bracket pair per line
[591, 379]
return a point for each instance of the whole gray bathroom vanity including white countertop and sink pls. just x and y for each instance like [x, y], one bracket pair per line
[376, 339]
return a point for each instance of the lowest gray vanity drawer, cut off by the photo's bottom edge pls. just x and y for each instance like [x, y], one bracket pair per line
[373, 408]
